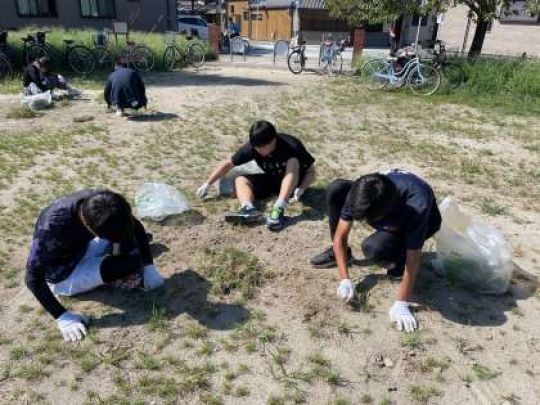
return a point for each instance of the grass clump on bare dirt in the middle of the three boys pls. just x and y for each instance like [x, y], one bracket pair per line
[230, 269]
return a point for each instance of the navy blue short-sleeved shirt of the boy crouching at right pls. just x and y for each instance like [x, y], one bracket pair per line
[415, 213]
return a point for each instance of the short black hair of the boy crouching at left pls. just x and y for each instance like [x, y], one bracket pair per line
[108, 214]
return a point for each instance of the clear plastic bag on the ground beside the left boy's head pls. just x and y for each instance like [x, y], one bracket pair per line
[157, 201]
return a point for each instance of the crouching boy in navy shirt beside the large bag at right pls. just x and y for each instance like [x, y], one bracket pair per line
[403, 210]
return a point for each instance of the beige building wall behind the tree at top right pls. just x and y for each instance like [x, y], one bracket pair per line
[515, 32]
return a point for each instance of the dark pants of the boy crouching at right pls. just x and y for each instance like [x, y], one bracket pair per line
[381, 246]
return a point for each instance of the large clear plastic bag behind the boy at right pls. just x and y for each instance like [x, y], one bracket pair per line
[472, 254]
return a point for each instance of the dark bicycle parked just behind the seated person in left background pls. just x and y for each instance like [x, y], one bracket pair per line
[79, 57]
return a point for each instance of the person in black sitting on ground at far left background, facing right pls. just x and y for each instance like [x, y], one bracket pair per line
[38, 79]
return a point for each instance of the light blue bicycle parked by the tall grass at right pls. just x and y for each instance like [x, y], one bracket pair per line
[421, 78]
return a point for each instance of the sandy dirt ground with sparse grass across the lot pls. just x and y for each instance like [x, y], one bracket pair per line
[291, 341]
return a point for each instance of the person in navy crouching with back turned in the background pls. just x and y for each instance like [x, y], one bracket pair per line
[124, 89]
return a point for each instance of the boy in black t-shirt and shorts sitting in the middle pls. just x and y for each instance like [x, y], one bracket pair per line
[288, 171]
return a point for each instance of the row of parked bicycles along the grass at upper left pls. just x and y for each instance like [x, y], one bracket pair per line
[84, 60]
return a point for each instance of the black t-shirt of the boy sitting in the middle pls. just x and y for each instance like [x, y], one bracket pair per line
[275, 164]
